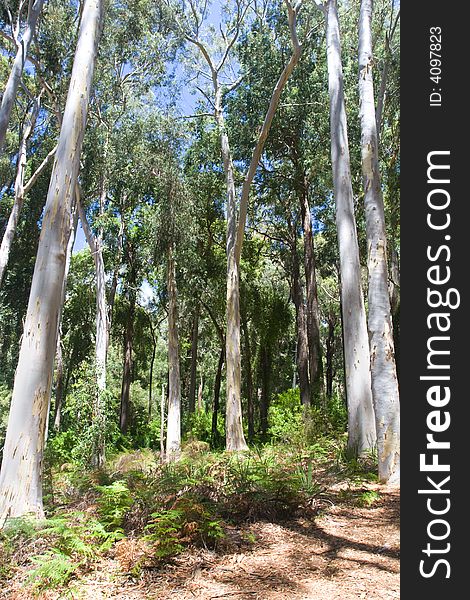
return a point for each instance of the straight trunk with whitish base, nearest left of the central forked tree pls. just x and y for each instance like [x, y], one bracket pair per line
[173, 429]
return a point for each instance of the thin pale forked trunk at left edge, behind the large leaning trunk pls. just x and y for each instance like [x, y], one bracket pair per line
[21, 189]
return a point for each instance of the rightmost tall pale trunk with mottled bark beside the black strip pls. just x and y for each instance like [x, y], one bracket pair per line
[382, 359]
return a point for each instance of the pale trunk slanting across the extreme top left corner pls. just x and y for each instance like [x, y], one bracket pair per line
[9, 94]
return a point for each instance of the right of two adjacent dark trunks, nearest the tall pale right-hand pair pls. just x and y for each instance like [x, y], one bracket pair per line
[313, 312]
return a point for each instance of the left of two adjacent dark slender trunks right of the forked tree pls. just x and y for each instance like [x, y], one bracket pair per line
[301, 325]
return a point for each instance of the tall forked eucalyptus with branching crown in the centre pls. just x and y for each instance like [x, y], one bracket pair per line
[237, 211]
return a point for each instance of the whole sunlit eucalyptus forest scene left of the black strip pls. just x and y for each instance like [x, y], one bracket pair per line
[199, 299]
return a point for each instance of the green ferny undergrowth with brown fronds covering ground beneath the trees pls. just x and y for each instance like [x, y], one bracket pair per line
[145, 516]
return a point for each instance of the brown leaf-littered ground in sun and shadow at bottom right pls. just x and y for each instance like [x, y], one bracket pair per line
[345, 550]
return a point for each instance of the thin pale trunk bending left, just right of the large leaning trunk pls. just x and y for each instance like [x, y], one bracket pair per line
[95, 244]
